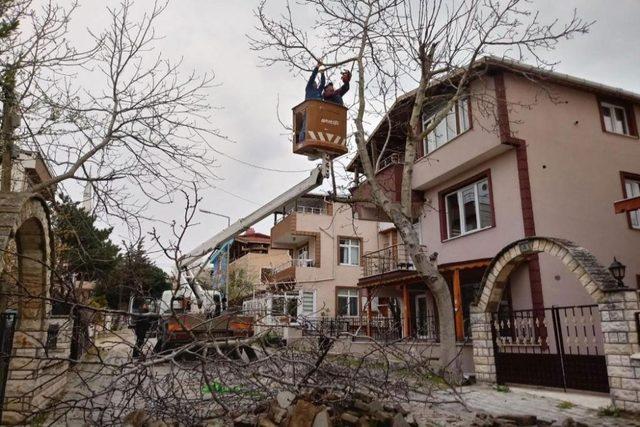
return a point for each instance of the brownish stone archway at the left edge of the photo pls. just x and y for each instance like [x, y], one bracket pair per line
[25, 239]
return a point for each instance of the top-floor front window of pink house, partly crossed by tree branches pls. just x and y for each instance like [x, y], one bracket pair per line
[456, 122]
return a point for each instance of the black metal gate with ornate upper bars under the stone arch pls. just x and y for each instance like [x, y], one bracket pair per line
[553, 347]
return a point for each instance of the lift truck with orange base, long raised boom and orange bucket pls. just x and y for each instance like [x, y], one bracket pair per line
[319, 133]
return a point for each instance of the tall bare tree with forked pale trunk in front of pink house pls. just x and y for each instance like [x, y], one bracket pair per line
[393, 44]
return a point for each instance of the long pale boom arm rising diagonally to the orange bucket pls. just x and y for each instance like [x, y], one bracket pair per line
[314, 180]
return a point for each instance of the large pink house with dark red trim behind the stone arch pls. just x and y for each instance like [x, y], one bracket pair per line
[523, 153]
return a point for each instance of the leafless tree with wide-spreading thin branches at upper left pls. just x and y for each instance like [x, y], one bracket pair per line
[119, 115]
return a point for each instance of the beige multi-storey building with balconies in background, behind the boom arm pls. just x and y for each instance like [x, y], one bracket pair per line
[326, 244]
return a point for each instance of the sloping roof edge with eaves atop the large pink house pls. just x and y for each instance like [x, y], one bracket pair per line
[492, 63]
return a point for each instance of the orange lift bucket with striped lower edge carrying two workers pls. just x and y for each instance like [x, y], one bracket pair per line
[319, 129]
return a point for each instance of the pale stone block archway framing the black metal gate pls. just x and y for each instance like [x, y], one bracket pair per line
[617, 307]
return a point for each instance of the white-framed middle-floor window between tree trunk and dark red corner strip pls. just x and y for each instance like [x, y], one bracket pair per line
[468, 209]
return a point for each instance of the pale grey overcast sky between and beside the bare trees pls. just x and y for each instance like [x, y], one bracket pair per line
[210, 35]
